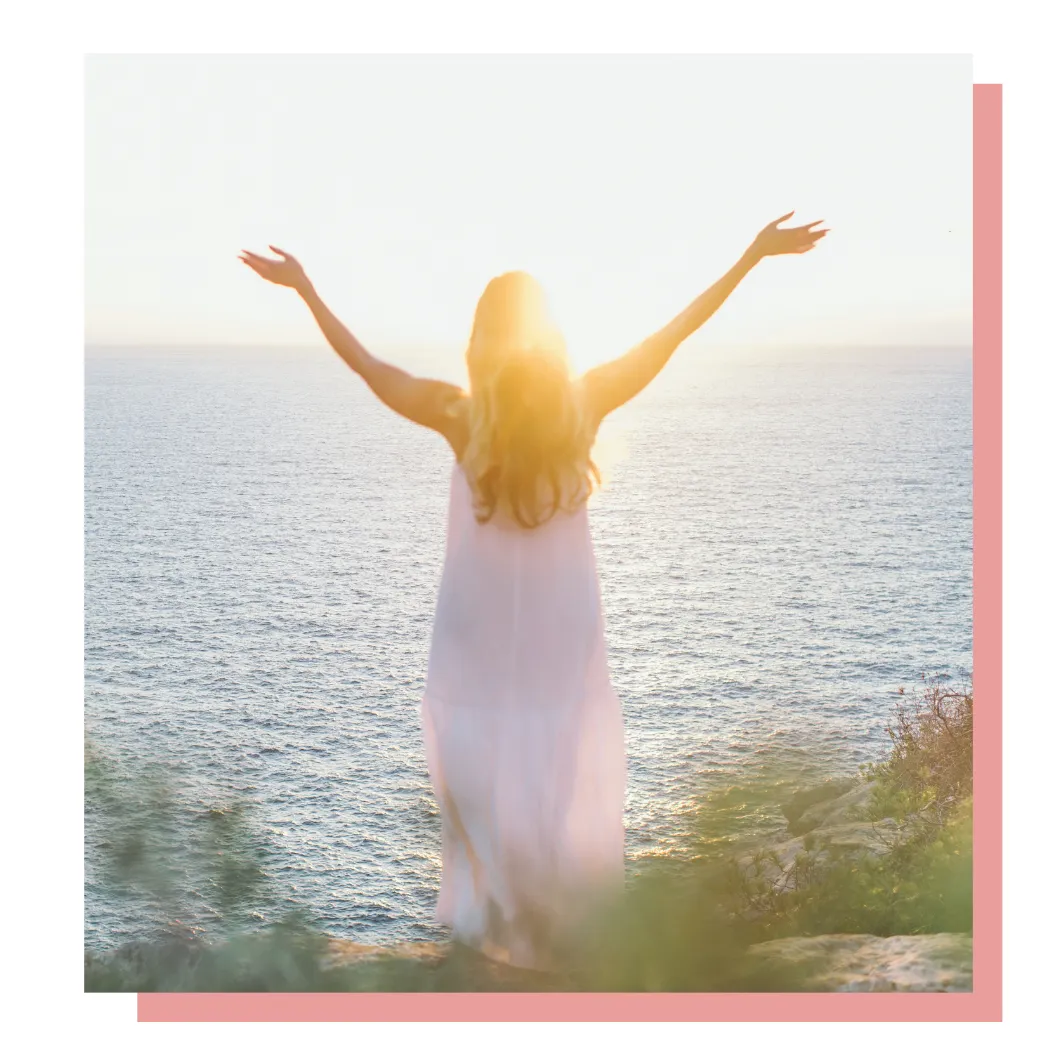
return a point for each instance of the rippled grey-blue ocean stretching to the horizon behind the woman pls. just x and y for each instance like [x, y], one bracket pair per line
[784, 541]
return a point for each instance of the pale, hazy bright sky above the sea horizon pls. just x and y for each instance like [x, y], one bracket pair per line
[627, 185]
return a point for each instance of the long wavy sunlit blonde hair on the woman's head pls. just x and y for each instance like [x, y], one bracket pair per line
[530, 443]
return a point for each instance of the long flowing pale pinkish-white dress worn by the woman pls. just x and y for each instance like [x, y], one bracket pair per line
[524, 734]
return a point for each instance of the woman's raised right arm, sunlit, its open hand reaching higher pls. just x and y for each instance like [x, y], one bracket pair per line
[615, 383]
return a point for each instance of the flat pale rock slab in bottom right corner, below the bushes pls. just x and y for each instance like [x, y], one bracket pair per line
[863, 964]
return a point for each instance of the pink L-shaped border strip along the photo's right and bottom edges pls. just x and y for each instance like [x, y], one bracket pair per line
[985, 1003]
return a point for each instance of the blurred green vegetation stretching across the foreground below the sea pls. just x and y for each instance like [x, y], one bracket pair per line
[685, 924]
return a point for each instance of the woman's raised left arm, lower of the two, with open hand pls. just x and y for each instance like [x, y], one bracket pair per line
[424, 401]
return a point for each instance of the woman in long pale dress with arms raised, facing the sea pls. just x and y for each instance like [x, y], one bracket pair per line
[524, 731]
